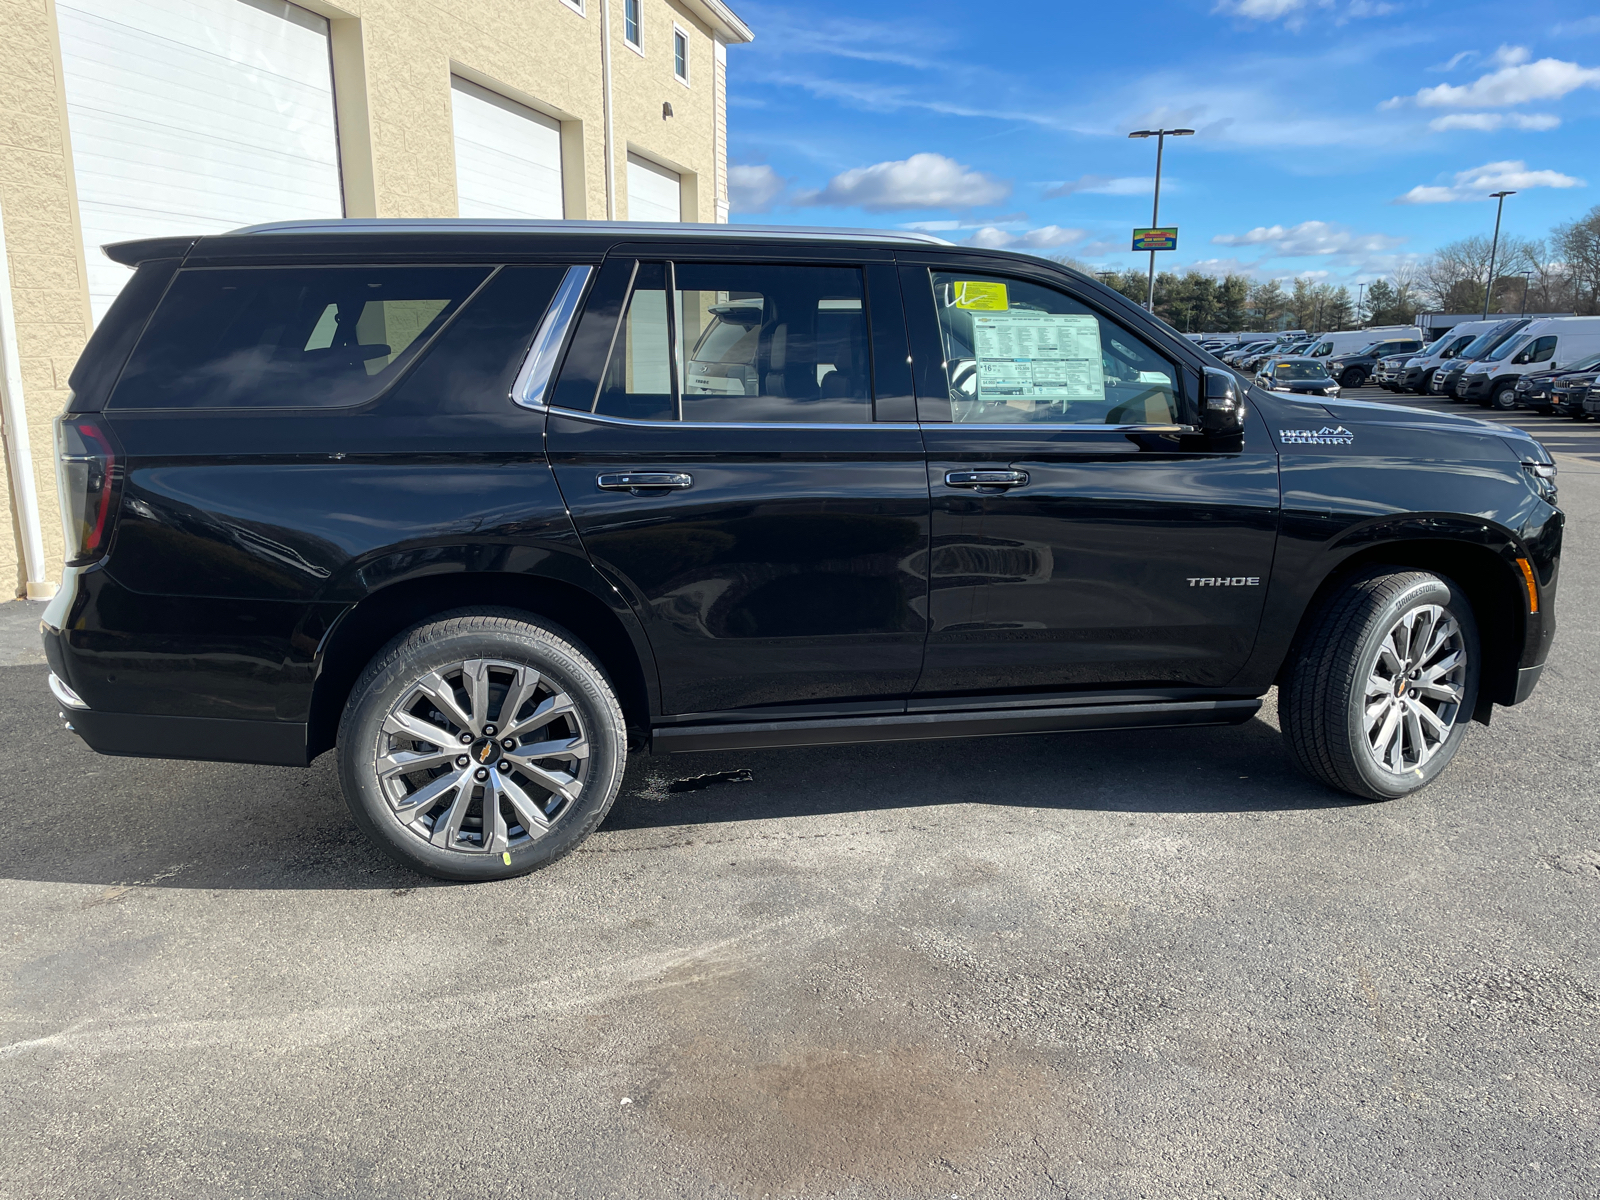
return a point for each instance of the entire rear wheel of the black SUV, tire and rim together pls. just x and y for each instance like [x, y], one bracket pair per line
[546, 806]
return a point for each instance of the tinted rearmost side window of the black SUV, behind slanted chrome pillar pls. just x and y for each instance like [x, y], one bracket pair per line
[289, 337]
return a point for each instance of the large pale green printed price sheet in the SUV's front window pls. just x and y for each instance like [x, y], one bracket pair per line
[1026, 354]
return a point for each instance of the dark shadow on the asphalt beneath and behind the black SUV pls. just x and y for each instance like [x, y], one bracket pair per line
[76, 817]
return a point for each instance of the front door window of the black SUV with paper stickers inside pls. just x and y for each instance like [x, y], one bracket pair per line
[1022, 353]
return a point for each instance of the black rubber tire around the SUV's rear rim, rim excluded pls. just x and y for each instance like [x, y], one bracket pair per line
[436, 646]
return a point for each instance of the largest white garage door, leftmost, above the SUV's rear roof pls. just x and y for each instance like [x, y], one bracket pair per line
[196, 118]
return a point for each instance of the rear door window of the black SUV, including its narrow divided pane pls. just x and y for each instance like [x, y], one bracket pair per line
[743, 345]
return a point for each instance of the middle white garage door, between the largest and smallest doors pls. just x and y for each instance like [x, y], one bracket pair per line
[508, 156]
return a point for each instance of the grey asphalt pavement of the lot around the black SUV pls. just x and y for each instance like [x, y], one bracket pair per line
[1151, 964]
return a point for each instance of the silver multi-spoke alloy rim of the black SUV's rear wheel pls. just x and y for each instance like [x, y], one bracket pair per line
[482, 758]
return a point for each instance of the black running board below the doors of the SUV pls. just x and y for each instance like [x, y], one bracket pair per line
[927, 726]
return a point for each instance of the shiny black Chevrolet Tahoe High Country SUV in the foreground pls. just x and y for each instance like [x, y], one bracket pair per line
[487, 506]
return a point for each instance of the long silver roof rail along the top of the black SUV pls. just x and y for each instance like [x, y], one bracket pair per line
[631, 228]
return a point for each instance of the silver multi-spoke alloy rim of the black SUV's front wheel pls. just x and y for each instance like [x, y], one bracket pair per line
[1415, 689]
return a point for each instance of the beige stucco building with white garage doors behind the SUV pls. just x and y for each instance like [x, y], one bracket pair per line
[145, 118]
